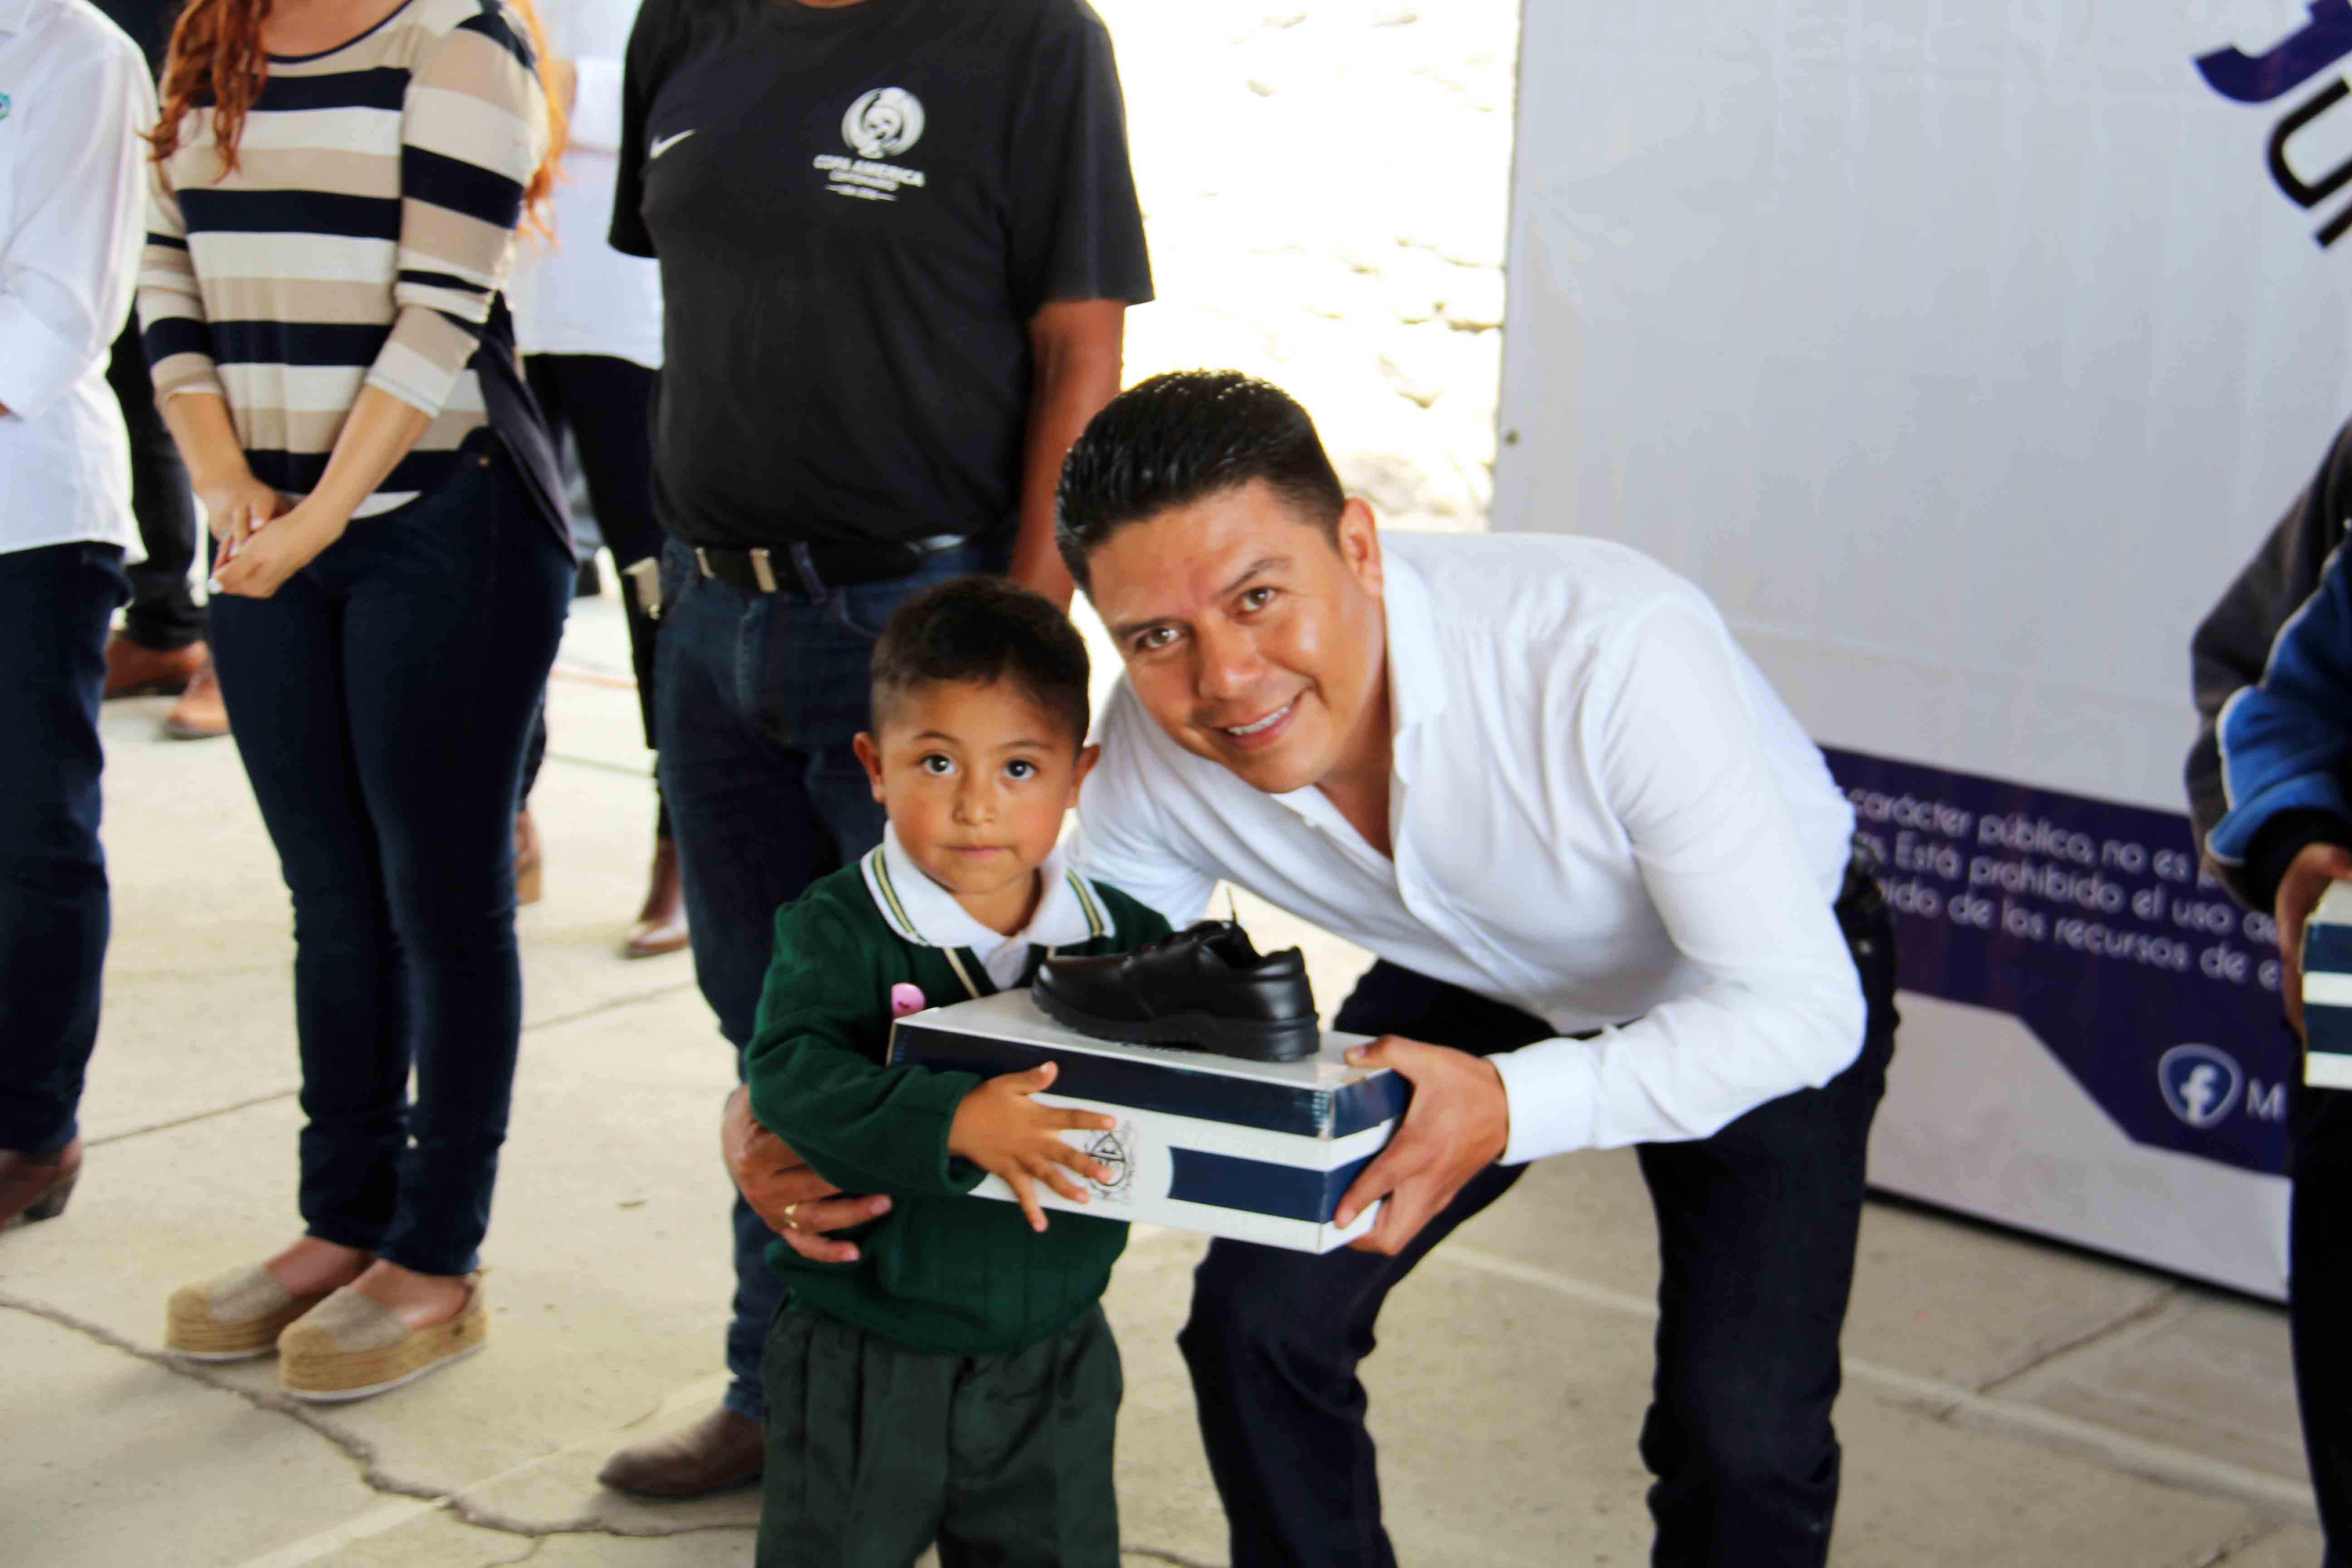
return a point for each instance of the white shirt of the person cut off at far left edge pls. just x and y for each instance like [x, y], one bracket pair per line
[74, 98]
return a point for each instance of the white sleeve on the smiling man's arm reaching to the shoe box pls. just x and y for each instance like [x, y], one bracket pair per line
[1782, 1005]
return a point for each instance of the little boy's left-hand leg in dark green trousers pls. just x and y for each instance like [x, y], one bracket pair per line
[857, 1447]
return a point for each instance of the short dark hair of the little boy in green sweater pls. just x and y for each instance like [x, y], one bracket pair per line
[984, 629]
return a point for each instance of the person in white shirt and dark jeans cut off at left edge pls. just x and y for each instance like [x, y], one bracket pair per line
[74, 100]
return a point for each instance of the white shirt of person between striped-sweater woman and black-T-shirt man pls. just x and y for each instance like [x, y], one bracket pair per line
[577, 295]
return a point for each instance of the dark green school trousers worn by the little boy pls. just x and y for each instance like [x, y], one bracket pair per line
[874, 1452]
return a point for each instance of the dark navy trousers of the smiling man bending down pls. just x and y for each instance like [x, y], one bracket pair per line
[1756, 1238]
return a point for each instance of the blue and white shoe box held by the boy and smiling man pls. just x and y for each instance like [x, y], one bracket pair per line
[1210, 1144]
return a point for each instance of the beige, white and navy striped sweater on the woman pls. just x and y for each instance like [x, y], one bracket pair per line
[359, 243]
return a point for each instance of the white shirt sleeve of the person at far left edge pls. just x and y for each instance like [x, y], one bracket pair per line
[69, 264]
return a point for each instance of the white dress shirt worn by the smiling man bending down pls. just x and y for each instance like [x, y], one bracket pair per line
[1601, 815]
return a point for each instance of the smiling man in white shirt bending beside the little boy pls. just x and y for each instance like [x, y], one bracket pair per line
[1612, 897]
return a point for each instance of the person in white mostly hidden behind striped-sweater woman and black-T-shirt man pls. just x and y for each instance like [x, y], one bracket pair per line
[589, 328]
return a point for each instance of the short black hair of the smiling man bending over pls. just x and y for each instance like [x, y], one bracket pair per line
[1180, 438]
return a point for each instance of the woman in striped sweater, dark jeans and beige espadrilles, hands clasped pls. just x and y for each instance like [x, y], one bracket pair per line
[335, 203]
